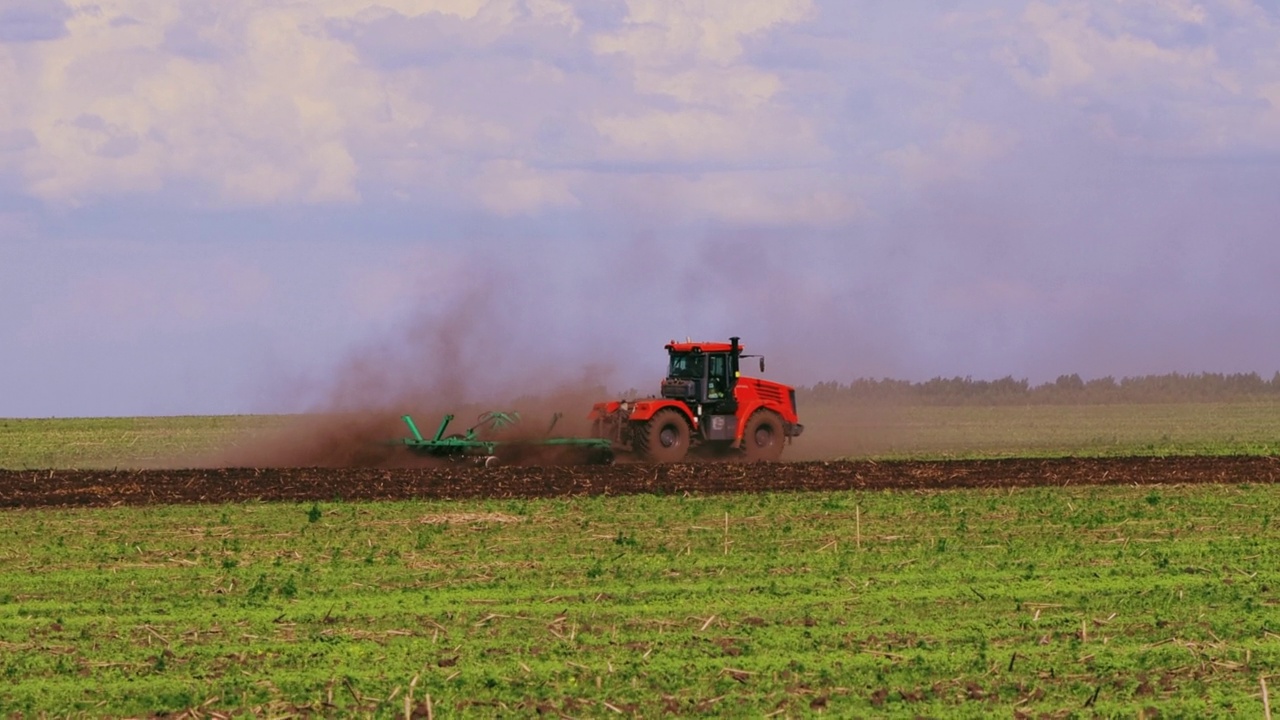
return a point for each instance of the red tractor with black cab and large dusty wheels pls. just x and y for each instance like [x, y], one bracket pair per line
[707, 405]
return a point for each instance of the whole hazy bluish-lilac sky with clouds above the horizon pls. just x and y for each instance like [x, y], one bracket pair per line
[240, 207]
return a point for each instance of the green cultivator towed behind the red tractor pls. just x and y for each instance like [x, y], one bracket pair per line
[492, 441]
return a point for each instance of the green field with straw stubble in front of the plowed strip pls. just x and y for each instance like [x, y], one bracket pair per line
[1068, 601]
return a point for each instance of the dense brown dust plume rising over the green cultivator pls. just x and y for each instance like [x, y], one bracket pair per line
[463, 358]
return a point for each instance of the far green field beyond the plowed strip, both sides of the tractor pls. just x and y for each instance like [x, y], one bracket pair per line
[924, 432]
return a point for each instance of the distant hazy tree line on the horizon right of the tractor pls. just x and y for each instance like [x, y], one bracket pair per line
[1067, 390]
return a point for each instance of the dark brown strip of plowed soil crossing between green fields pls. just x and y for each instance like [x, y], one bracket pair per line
[88, 489]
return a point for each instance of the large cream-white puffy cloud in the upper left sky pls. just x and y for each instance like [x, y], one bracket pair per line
[112, 112]
